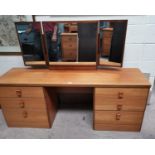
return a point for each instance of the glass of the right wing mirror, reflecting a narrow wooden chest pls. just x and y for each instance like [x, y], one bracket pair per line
[111, 42]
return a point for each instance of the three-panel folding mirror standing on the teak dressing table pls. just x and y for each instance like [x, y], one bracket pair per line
[93, 43]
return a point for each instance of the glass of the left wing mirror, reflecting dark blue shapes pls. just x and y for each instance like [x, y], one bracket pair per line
[29, 35]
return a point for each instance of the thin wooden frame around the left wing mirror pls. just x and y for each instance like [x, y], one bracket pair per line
[33, 63]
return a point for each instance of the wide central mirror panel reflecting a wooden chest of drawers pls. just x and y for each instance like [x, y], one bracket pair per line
[71, 43]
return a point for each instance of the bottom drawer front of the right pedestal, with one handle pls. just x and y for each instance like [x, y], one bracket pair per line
[114, 117]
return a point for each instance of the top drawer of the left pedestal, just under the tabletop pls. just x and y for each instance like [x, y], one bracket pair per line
[21, 92]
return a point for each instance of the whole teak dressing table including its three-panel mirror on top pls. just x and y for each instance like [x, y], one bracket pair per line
[29, 97]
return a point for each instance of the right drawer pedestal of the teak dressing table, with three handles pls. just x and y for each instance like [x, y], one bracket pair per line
[119, 109]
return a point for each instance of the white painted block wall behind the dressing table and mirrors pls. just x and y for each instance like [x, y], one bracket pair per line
[139, 47]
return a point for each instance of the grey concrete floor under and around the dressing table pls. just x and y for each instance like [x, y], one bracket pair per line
[78, 124]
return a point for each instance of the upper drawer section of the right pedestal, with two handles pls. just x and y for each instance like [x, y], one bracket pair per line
[133, 99]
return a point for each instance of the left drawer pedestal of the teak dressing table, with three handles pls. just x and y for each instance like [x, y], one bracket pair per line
[25, 107]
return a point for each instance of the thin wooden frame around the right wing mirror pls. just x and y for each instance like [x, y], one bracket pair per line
[110, 63]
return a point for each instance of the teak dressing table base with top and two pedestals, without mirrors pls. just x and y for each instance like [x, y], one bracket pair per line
[28, 96]
